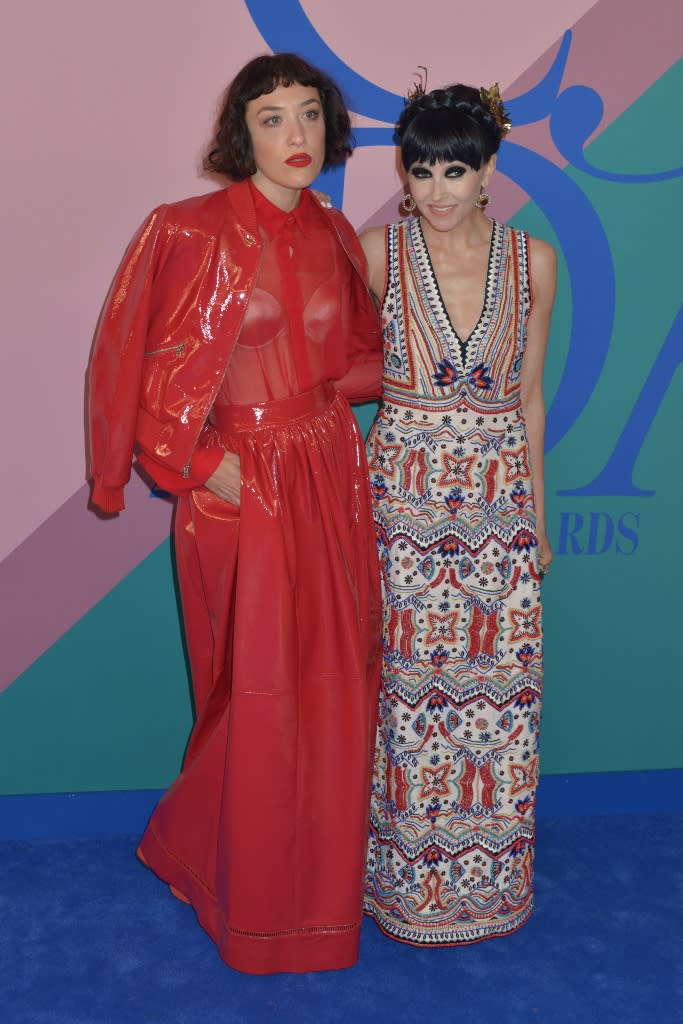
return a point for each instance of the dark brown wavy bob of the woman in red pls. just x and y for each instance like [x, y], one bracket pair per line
[232, 152]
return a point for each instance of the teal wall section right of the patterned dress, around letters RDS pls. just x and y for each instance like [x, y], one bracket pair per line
[613, 608]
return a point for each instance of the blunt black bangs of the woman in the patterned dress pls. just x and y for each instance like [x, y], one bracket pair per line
[444, 137]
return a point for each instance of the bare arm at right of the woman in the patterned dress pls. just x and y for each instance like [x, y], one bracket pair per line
[544, 274]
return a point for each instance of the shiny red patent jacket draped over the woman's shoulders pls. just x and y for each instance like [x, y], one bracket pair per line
[168, 327]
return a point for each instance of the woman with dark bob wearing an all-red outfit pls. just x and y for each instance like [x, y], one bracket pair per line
[238, 328]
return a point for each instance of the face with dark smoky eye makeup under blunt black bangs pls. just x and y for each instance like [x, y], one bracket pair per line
[447, 193]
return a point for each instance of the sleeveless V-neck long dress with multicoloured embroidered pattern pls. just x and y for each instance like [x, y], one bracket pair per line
[452, 828]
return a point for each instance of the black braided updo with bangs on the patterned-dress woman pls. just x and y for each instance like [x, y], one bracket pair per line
[446, 125]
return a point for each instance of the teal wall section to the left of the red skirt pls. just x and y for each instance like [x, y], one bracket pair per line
[107, 707]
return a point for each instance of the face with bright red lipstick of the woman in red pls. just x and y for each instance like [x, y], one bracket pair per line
[287, 130]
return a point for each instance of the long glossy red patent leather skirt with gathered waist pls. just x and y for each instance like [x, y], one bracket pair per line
[265, 832]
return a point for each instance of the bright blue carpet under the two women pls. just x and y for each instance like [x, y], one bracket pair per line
[88, 936]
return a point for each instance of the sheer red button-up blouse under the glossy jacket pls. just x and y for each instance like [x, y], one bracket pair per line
[296, 330]
